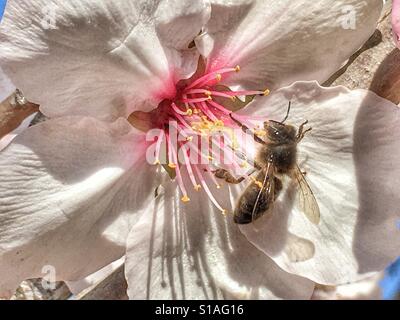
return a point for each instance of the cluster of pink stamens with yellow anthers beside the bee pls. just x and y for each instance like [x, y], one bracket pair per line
[197, 115]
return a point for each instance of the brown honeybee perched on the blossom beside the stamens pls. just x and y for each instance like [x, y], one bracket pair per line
[276, 157]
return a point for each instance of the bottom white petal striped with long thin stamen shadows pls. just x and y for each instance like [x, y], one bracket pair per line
[192, 251]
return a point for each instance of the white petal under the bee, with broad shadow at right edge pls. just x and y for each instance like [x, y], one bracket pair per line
[351, 160]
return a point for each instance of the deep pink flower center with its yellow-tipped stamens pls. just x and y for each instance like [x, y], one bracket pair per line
[196, 131]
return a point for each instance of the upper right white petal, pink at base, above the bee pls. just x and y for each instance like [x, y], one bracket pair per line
[282, 41]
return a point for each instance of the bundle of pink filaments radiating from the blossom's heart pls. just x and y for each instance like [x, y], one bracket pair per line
[202, 114]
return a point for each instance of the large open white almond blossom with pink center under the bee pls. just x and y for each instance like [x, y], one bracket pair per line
[78, 192]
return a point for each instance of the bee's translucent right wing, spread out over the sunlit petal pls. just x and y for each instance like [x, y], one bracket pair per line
[307, 202]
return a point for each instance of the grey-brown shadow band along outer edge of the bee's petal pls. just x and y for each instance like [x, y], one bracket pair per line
[376, 153]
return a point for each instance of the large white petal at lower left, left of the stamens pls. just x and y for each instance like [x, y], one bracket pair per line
[70, 190]
